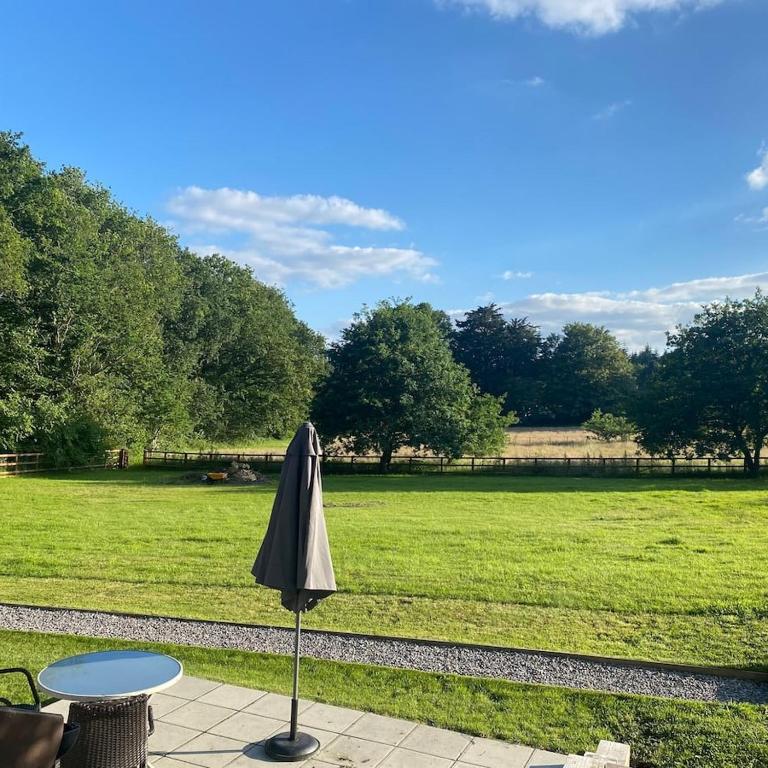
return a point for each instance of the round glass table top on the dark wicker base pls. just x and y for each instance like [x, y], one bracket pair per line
[109, 675]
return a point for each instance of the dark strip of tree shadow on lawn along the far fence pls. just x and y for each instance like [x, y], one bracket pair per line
[419, 483]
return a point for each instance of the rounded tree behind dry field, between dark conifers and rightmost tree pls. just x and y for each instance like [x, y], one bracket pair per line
[587, 369]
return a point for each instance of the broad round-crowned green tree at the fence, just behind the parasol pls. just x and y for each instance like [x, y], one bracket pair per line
[393, 383]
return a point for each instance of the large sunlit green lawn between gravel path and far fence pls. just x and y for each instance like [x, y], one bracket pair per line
[667, 569]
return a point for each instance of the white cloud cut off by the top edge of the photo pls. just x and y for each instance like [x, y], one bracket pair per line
[590, 16]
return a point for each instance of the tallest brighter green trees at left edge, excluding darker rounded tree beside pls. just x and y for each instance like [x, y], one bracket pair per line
[95, 287]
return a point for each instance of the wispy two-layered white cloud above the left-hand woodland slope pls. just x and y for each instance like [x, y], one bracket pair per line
[286, 238]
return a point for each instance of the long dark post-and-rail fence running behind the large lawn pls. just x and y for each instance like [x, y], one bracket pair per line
[510, 465]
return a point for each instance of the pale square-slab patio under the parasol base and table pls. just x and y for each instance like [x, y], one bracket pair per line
[206, 724]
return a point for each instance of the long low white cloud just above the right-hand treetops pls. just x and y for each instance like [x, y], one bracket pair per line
[637, 317]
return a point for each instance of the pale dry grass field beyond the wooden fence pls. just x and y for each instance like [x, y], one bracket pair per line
[541, 442]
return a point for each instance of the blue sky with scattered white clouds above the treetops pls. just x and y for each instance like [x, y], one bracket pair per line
[603, 161]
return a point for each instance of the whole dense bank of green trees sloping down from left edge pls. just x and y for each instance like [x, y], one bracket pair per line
[113, 335]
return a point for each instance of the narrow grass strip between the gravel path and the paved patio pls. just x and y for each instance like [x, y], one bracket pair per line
[662, 733]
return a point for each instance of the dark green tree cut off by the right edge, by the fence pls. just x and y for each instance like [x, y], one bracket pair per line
[709, 395]
